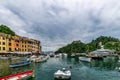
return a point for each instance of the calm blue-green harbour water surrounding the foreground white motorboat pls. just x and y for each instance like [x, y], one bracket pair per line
[80, 70]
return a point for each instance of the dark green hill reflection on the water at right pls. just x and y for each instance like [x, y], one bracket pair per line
[109, 63]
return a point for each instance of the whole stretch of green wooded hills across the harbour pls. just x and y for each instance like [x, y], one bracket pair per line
[80, 47]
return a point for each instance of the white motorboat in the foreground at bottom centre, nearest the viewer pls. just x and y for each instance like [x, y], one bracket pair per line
[62, 74]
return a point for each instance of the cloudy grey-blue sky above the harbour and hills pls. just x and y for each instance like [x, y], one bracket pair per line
[58, 22]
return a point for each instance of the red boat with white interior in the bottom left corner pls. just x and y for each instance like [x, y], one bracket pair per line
[19, 76]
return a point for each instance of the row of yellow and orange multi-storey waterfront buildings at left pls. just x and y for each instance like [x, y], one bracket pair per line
[18, 44]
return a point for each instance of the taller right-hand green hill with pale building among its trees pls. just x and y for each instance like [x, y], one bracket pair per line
[108, 42]
